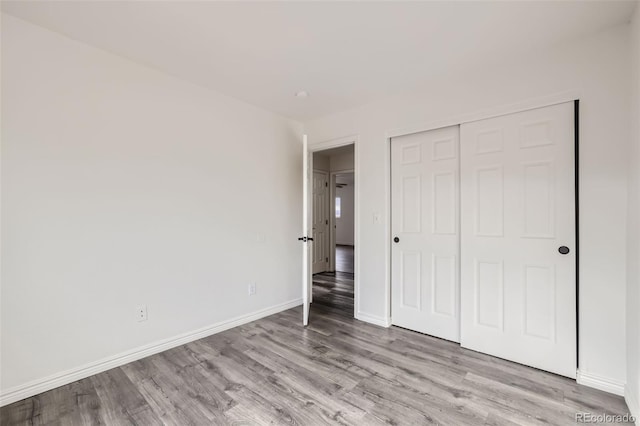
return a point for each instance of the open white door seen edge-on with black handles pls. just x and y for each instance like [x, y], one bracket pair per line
[306, 260]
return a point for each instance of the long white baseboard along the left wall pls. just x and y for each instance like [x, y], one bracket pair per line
[59, 379]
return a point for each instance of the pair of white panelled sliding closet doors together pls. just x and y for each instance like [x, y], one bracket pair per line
[484, 235]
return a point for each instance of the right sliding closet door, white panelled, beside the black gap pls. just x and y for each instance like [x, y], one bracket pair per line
[518, 208]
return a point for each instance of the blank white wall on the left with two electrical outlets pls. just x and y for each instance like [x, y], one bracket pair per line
[124, 186]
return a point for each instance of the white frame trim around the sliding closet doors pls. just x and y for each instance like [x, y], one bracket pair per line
[541, 102]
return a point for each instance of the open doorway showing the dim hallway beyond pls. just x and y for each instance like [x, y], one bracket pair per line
[333, 231]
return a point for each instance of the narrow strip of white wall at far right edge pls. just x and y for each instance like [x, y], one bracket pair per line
[633, 259]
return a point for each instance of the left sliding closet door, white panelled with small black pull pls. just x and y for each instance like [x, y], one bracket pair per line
[425, 229]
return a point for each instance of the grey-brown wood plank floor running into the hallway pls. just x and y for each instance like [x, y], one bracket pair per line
[335, 371]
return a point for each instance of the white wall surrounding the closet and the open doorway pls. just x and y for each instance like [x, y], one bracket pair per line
[598, 68]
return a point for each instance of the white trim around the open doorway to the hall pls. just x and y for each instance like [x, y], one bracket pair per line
[335, 143]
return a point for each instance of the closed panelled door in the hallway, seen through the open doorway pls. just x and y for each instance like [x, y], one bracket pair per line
[320, 221]
